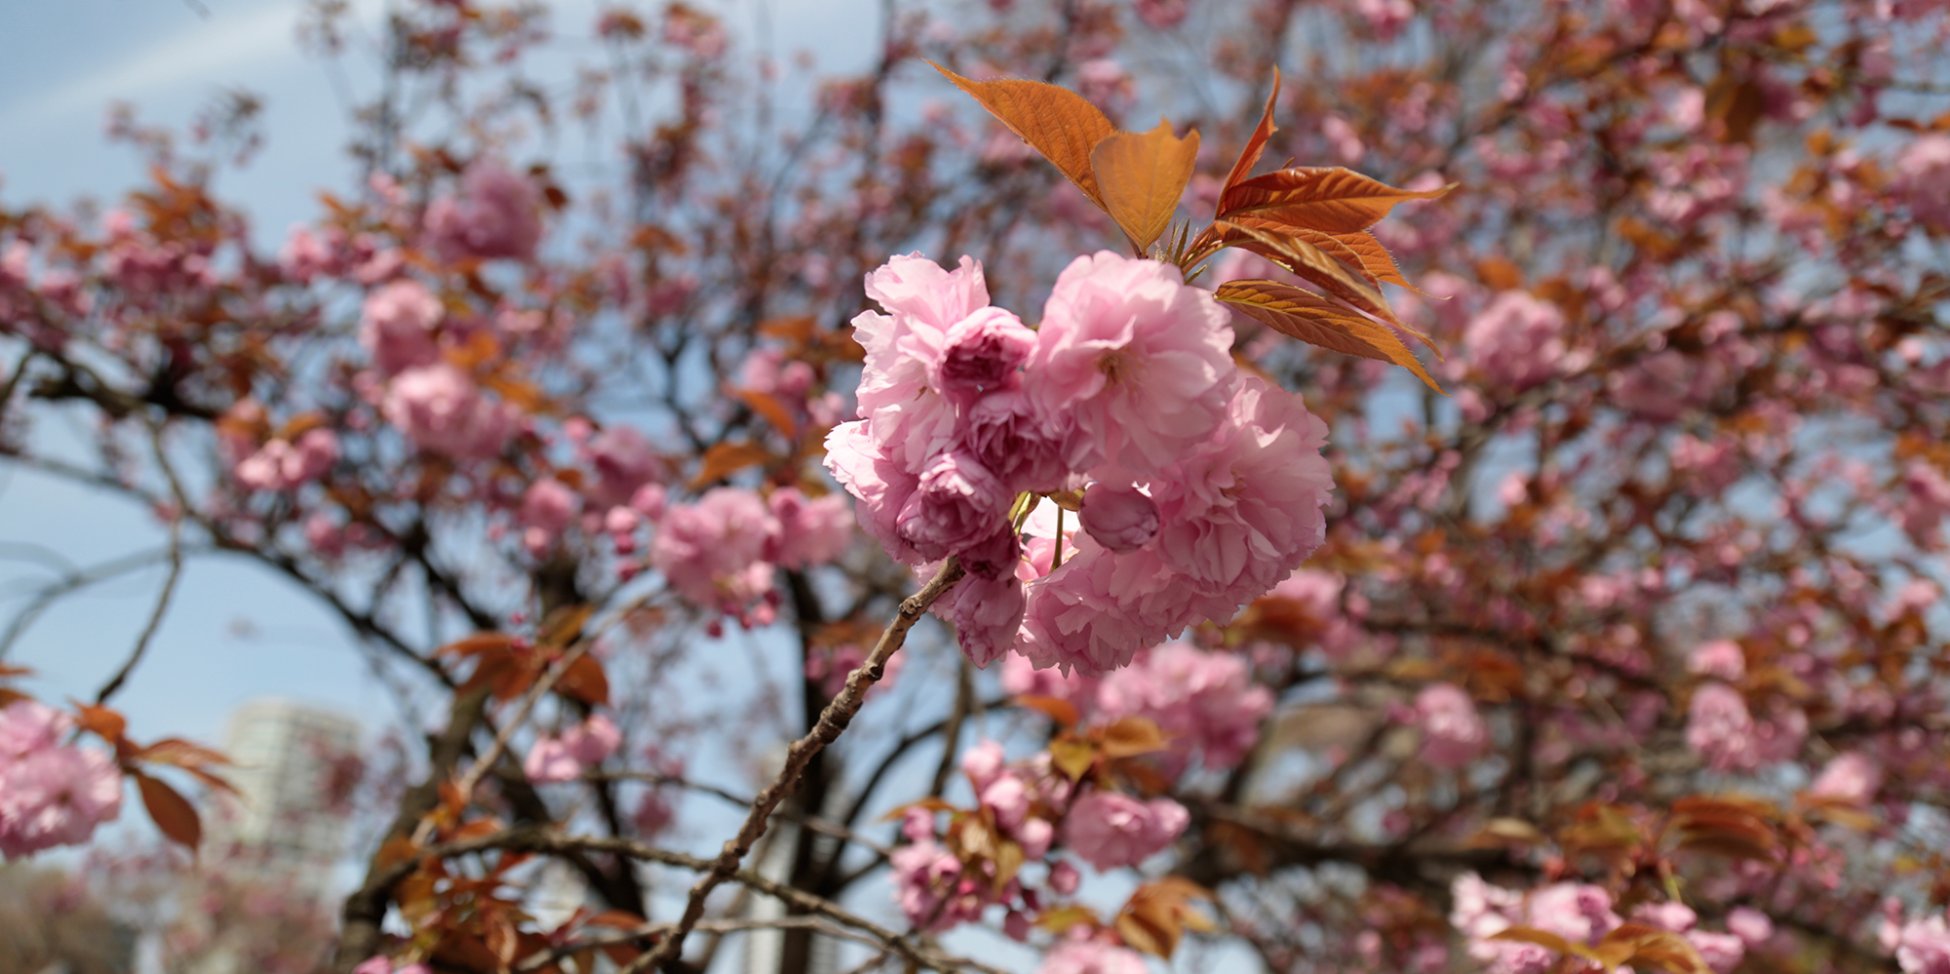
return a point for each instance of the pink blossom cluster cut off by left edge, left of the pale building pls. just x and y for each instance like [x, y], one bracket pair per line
[52, 791]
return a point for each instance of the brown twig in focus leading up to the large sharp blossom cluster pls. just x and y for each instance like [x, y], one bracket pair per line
[832, 725]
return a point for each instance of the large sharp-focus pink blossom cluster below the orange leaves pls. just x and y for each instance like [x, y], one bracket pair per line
[1196, 487]
